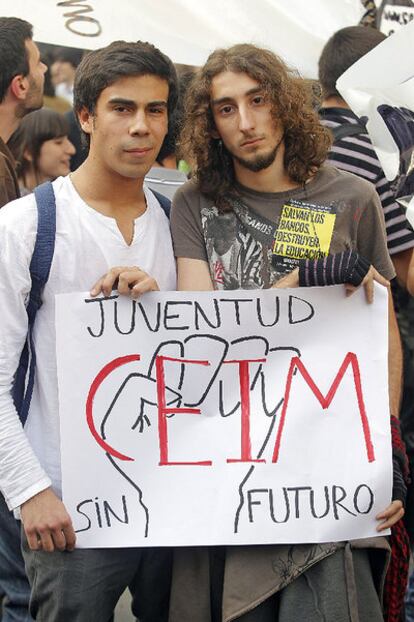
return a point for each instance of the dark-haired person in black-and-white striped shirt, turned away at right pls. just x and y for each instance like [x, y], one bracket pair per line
[353, 151]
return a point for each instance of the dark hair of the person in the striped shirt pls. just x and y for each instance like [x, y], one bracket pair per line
[343, 49]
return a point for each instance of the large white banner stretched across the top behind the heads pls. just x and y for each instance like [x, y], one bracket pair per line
[188, 30]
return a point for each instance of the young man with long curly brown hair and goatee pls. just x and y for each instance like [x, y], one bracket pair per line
[257, 151]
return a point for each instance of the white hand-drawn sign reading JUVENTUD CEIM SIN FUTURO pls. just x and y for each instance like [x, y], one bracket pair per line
[231, 417]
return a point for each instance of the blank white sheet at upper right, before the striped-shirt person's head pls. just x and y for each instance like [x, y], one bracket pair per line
[382, 78]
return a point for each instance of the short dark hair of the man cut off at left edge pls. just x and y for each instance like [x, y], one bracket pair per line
[14, 61]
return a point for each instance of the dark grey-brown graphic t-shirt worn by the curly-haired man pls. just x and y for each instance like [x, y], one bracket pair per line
[266, 234]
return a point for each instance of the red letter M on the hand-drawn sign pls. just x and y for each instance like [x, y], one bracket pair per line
[325, 400]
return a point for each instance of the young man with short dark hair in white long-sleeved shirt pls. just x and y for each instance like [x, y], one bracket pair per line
[109, 229]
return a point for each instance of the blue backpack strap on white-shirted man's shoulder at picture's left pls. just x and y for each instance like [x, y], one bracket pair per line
[39, 271]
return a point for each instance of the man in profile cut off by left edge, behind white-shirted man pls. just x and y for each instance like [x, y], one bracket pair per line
[21, 90]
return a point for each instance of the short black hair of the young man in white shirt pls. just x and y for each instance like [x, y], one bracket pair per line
[101, 68]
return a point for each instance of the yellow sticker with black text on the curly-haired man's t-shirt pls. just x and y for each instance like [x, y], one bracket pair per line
[304, 231]
